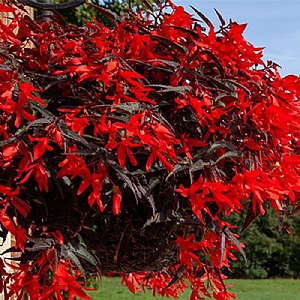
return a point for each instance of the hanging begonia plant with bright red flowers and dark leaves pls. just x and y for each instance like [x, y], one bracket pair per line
[124, 149]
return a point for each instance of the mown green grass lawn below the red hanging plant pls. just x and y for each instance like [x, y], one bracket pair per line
[274, 289]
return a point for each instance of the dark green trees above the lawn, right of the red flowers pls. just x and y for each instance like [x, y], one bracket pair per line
[272, 251]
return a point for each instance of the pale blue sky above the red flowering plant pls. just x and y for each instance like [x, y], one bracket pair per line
[273, 24]
